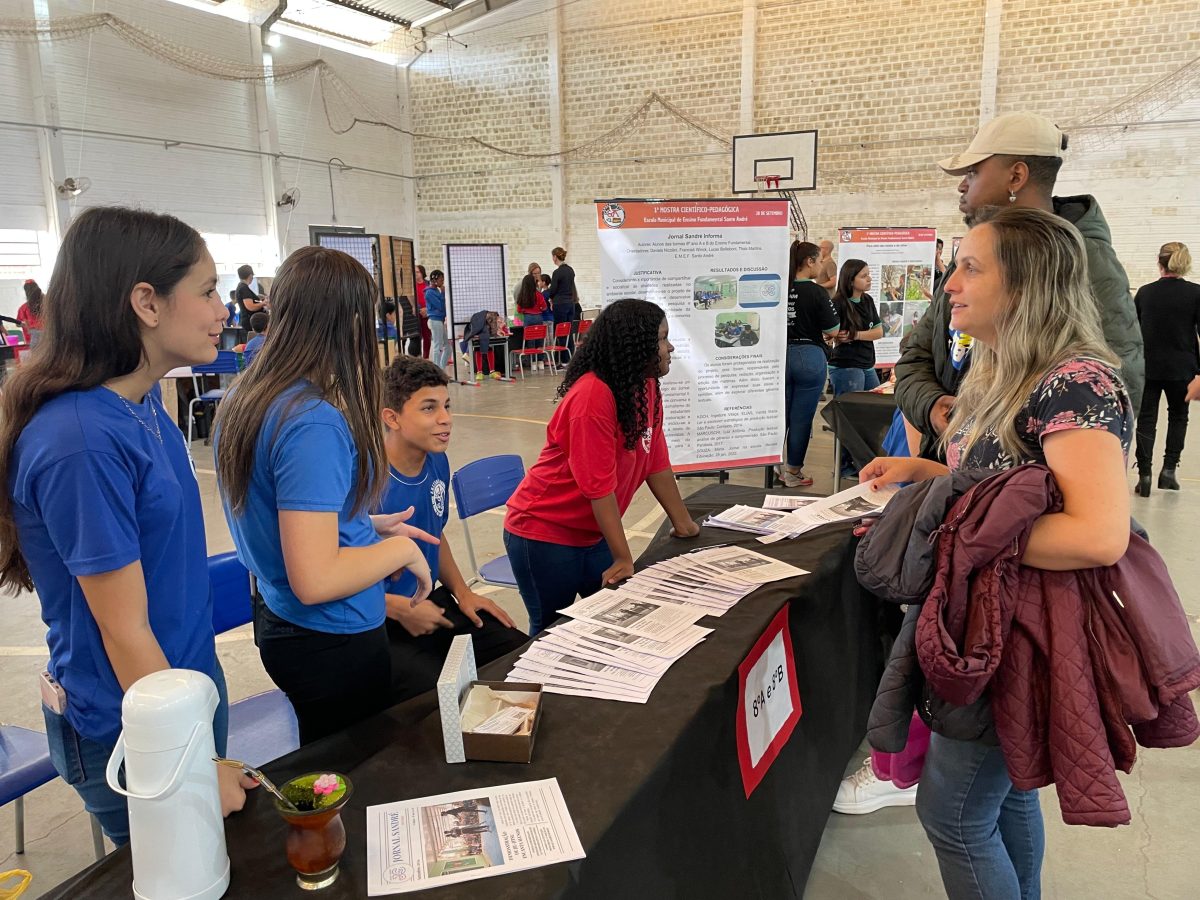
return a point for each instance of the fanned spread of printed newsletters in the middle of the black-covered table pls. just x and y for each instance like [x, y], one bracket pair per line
[621, 643]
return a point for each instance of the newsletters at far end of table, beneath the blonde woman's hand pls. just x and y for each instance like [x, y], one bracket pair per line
[784, 517]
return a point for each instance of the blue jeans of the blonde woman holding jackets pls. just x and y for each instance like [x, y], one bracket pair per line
[988, 836]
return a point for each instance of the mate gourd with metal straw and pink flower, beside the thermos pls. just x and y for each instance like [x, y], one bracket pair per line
[316, 835]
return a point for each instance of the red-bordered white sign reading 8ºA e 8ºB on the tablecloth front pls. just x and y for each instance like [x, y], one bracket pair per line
[769, 701]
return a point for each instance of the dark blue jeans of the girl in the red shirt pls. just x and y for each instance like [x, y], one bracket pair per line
[550, 577]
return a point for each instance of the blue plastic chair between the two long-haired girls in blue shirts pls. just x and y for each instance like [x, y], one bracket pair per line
[262, 728]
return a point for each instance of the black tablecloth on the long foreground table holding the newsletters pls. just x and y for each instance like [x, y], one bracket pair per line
[655, 790]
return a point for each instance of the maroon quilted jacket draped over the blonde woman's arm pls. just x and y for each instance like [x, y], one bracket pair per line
[1070, 659]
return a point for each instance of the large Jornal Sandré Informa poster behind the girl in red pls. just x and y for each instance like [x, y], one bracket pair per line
[718, 268]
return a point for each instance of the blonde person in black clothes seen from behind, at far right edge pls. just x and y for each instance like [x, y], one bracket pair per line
[1169, 315]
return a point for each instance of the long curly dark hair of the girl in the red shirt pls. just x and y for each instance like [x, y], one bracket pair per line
[622, 349]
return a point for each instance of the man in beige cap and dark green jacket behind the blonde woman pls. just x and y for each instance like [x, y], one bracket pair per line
[1013, 160]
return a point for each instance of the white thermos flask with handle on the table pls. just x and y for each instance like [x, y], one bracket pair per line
[177, 831]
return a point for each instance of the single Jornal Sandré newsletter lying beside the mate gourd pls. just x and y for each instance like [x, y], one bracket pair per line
[416, 845]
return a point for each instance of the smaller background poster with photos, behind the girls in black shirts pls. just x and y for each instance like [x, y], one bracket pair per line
[902, 265]
